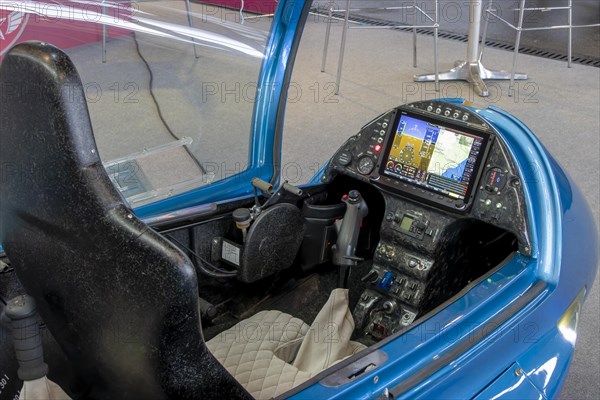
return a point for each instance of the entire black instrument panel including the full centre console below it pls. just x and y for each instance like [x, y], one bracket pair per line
[440, 169]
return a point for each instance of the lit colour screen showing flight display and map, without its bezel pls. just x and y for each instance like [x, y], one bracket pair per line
[437, 158]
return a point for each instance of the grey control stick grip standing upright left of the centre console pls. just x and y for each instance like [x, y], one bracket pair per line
[344, 251]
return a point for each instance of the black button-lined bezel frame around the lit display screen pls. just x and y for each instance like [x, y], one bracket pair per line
[405, 186]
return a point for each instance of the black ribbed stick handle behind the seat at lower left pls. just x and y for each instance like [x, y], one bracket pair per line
[27, 338]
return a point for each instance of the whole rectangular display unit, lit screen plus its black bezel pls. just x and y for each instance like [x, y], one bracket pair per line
[433, 159]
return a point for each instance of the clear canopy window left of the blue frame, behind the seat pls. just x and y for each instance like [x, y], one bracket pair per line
[170, 85]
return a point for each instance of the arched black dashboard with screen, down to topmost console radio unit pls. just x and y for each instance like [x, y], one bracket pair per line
[434, 159]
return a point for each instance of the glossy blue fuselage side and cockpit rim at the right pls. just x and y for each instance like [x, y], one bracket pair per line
[565, 255]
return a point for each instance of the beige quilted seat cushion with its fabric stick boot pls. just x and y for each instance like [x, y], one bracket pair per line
[273, 352]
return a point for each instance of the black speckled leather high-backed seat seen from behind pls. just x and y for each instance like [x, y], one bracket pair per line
[121, 301]
